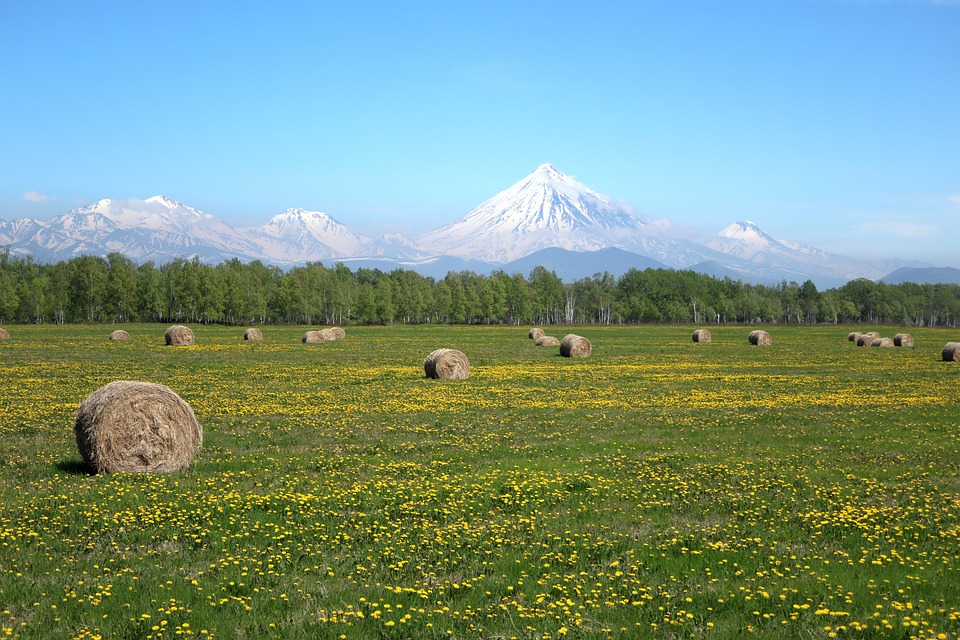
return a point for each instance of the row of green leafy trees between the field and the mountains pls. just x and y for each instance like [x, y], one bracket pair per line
[117, 290]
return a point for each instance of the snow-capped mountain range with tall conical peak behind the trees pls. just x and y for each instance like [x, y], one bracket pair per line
[547, 219]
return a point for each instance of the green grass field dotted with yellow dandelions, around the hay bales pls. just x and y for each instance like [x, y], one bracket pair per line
[659, 488]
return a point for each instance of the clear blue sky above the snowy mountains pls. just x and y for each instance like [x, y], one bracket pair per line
[835, 123]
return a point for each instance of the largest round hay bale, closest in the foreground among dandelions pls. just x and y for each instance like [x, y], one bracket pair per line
[136, 426]
